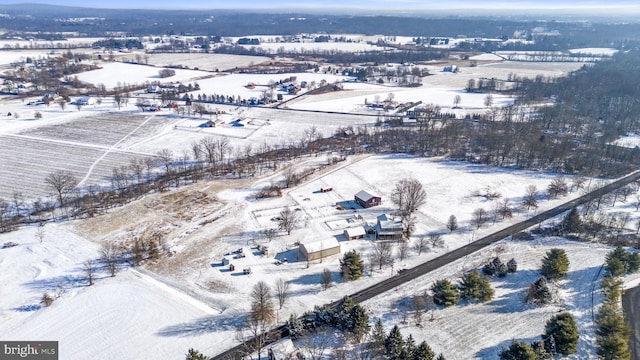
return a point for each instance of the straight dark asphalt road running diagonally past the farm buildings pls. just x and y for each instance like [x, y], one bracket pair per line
[407, 275]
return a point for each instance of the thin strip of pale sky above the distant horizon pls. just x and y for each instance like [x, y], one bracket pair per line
[336, 4]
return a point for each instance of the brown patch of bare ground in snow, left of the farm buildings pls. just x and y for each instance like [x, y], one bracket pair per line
[187, 222]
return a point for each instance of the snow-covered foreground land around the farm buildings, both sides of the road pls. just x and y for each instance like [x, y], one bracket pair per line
[190, 300]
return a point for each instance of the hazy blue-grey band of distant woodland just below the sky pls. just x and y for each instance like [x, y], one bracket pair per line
[101, 22]
